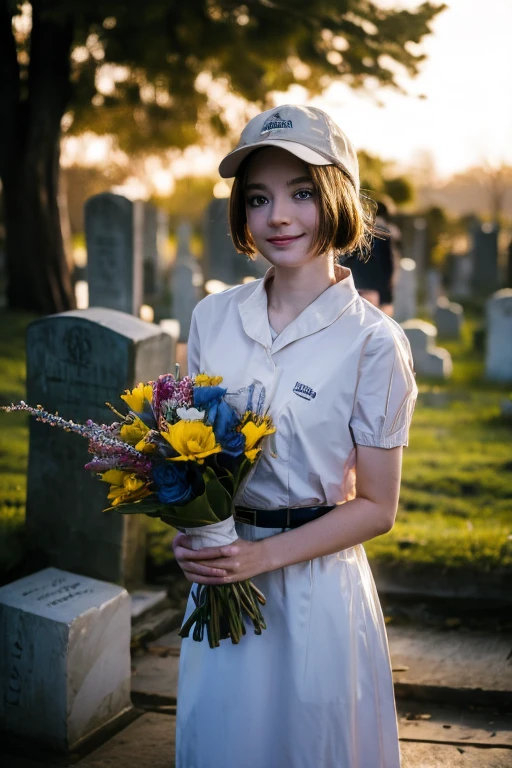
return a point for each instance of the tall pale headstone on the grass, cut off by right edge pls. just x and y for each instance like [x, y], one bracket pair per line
[498, 361]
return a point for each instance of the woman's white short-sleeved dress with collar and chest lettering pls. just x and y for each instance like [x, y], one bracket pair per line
[315, 689]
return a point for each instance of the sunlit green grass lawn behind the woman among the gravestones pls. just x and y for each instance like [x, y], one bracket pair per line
[456, 499]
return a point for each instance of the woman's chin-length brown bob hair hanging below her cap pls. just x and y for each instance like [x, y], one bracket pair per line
[345, 221]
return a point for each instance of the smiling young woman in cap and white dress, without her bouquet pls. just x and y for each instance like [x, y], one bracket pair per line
[315, 689]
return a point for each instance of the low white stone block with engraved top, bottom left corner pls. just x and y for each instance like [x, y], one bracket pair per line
[64, 656]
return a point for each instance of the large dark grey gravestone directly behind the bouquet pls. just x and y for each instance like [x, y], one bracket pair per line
[77, 361]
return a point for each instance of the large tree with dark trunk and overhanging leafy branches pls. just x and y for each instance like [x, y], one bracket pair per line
[159, 58]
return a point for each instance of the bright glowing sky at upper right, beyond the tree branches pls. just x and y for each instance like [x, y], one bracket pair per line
[466, 117]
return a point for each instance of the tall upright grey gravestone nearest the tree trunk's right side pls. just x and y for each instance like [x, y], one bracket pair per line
[114, 237]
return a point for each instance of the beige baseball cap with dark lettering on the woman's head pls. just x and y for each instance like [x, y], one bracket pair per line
[306, 132]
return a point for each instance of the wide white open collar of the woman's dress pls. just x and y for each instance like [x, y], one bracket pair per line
[322, 312]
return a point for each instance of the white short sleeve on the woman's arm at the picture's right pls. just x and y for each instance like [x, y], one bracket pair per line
[386, 391]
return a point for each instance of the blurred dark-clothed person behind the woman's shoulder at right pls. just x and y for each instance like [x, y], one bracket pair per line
[375, 278]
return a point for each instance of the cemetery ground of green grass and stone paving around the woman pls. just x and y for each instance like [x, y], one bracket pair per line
[455, 518]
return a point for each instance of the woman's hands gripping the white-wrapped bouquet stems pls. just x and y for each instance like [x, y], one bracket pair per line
[240, 560]
